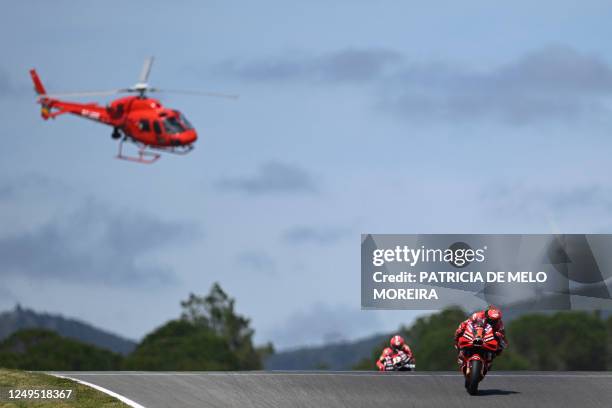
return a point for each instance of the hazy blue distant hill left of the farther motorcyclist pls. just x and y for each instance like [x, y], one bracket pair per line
[334, 356]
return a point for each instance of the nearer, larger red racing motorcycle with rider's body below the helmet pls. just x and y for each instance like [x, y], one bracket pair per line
[477, 348]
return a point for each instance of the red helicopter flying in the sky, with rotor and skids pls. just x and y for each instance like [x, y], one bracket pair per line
[137, 119]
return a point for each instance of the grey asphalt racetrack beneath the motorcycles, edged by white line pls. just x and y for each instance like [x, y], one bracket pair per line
[353, 389]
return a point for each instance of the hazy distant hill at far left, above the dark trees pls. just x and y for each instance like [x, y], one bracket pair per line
[20, 318]
